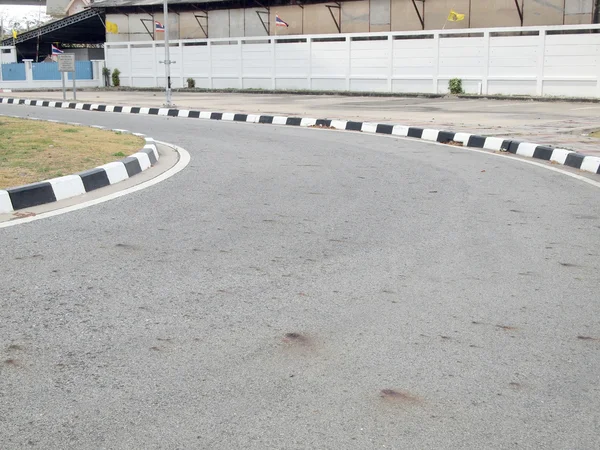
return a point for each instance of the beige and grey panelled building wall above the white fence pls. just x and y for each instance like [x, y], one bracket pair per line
[354, 17]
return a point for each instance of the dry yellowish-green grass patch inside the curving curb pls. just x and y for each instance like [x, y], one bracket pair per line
[33, 151]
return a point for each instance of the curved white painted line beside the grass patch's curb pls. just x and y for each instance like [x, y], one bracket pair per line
[184, 159]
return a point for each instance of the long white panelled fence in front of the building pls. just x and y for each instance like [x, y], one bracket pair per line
[555, 61]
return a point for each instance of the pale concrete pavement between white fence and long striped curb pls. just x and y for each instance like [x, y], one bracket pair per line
[560, 124]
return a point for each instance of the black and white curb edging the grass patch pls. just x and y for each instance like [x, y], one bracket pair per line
[61, 188]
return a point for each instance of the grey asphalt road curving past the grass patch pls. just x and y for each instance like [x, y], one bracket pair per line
[306, 289]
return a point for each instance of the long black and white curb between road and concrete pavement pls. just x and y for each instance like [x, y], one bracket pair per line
[527, 149]
